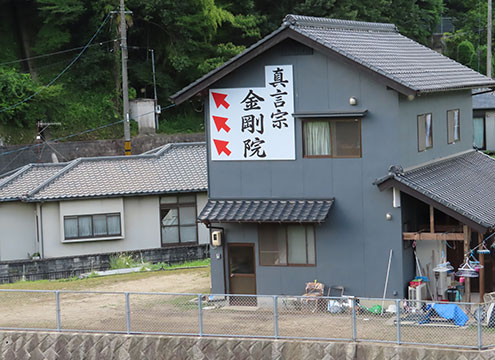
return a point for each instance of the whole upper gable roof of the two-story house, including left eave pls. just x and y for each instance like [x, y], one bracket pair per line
[377, 47]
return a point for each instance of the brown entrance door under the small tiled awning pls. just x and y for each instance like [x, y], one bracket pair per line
[242, 273]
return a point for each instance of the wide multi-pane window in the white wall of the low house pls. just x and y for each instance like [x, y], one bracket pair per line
[92, 226]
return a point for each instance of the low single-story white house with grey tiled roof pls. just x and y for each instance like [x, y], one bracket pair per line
[104, 204]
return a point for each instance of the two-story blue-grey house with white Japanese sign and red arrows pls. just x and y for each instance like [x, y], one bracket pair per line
[331, 145]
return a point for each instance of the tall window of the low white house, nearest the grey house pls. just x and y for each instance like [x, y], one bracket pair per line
[178, 219]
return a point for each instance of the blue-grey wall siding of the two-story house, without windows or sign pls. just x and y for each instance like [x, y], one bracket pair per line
[352, 246]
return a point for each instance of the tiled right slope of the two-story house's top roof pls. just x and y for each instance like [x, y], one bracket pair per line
[382, 49]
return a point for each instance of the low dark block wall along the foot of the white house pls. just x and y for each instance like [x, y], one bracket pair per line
[65, 267]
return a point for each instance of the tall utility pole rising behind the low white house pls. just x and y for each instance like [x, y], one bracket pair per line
[125, 90]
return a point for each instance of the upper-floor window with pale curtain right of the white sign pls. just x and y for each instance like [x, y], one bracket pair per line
[338, 138]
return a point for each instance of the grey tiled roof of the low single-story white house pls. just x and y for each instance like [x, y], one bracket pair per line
[172, 168]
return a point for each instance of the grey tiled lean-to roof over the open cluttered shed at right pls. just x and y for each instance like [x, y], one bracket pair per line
[462, 186]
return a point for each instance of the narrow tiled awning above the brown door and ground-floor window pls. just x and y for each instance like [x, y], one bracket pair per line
[262, 211]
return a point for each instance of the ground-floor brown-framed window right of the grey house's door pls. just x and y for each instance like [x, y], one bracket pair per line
[286, 245]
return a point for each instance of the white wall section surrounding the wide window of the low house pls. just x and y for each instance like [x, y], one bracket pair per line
[139, 219]
